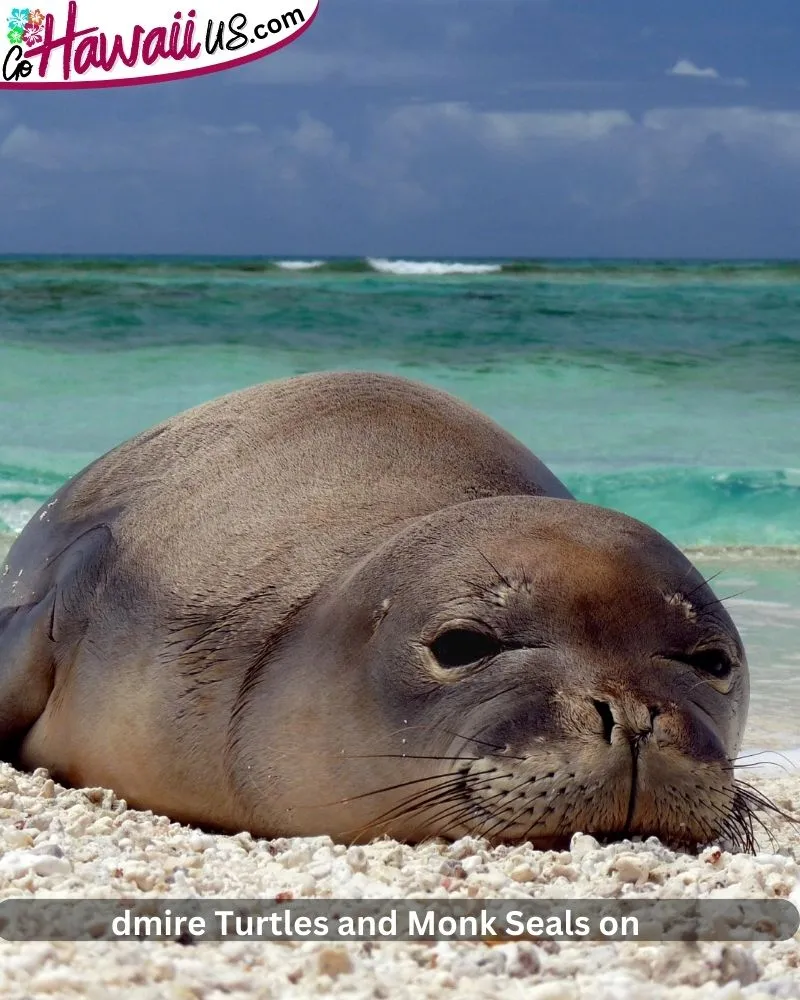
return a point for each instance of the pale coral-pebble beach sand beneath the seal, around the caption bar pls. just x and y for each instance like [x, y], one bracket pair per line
[86, 843]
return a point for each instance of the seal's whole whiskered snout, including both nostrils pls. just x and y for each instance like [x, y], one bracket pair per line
[615, 771]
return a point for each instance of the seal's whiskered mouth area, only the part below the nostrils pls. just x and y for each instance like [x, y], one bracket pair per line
[687, 806]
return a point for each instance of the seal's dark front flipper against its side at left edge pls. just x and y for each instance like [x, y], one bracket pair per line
[38, 635]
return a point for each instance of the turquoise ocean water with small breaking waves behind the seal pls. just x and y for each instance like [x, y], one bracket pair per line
[668, 390]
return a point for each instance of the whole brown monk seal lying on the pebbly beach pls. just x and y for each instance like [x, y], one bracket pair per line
[350, 604]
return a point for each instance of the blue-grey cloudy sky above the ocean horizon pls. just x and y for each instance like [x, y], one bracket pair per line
[436, 128]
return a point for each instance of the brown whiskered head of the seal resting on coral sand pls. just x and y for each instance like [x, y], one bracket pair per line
[517, 668]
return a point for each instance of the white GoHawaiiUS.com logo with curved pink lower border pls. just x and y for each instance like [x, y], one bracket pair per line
[93, 43]
